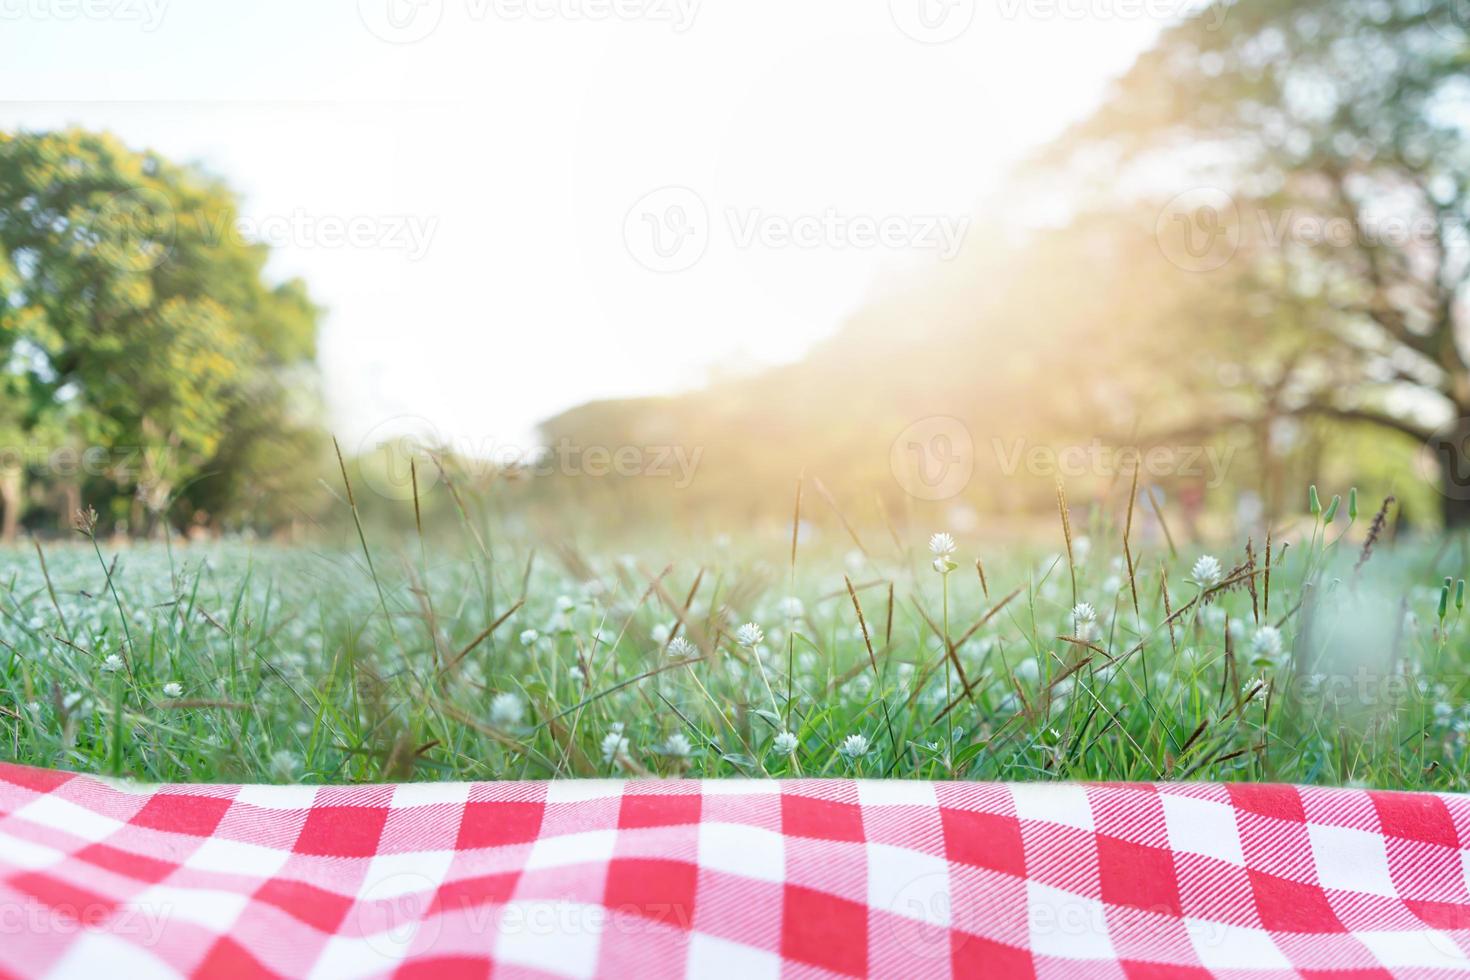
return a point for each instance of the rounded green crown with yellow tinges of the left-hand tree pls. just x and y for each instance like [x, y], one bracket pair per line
[132, 306]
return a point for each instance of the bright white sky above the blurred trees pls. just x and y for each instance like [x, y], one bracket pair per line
[496, 168]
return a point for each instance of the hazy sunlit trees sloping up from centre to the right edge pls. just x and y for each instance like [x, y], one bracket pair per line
[1266, 245]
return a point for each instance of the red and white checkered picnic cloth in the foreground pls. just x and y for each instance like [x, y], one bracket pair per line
[745, 879]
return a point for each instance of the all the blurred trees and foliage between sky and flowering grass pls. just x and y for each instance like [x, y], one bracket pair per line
[1255, 249]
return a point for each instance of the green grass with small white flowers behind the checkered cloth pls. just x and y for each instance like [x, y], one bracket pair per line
[520, 659]
